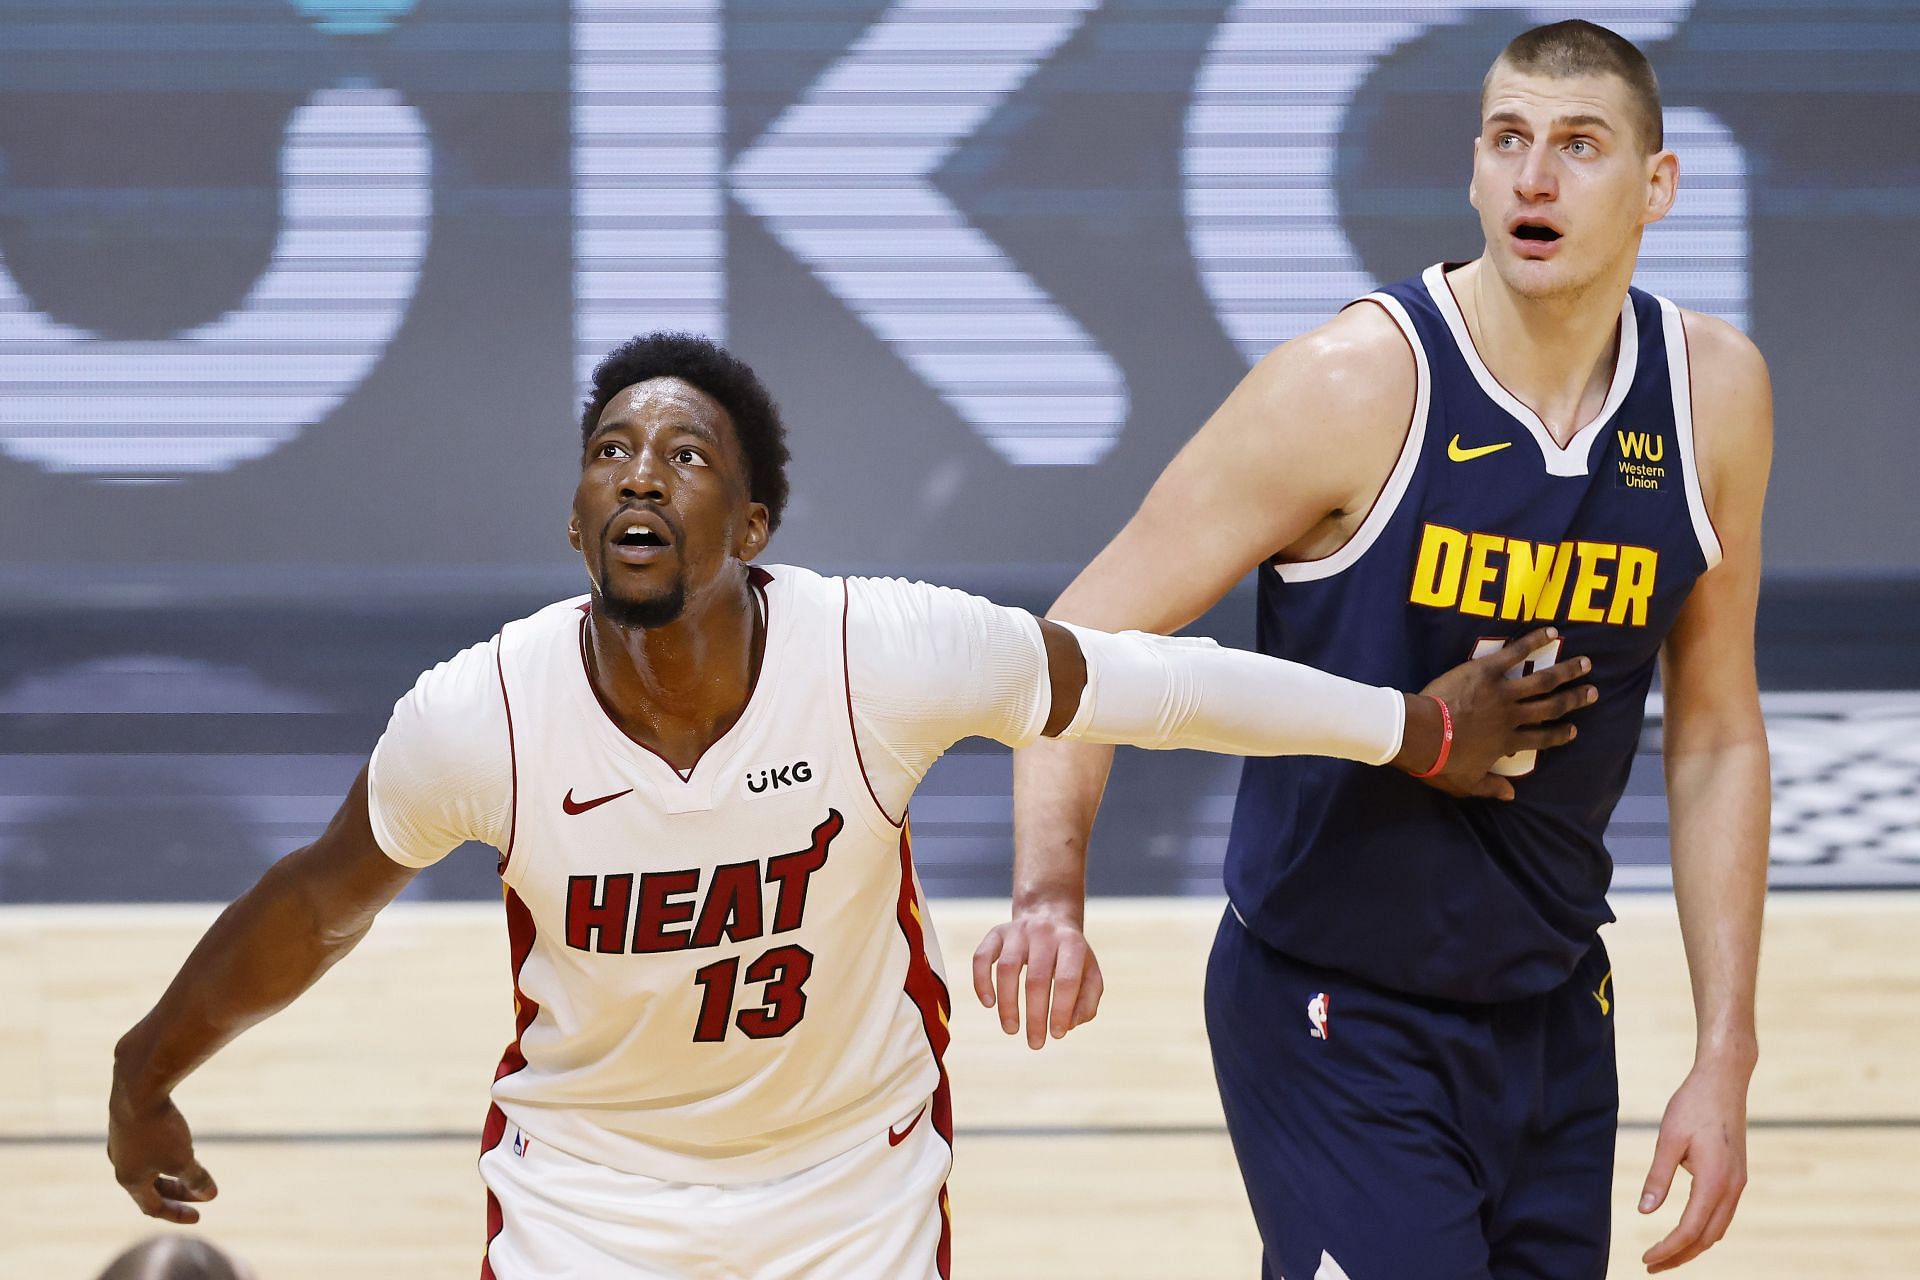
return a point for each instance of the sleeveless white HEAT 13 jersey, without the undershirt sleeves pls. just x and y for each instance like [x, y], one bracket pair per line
[725, 968]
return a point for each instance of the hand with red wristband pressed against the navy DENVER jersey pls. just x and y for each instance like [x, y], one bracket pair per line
[1497, 715]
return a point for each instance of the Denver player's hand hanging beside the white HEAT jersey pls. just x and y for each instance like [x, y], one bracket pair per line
[1063, 985]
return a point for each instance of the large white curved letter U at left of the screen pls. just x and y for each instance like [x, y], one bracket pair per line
[356, 214]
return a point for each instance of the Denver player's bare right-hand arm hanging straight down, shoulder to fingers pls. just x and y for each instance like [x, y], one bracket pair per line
[1719, 797]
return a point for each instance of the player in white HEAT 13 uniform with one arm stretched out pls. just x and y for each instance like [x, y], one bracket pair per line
[731, 1012]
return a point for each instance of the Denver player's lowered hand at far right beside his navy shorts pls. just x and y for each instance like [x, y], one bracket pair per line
[1706, 1133]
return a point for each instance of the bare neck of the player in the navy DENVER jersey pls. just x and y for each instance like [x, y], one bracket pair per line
[1556, 354]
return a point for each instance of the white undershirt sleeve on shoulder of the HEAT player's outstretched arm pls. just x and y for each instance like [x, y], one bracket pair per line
[928, 667]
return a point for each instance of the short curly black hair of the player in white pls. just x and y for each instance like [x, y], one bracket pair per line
[723, 375]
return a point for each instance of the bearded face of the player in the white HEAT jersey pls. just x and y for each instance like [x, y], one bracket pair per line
[663, 502]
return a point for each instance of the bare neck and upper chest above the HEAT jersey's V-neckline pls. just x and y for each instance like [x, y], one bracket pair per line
[679, 688]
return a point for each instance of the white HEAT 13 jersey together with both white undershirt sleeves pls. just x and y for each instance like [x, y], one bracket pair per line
[721, 976]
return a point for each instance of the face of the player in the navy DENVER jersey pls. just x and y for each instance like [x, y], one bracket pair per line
[1564, 181]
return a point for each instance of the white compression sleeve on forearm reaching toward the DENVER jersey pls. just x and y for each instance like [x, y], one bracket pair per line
[1188, 692]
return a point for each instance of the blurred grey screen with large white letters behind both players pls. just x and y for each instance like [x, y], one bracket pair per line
[299, 298]
